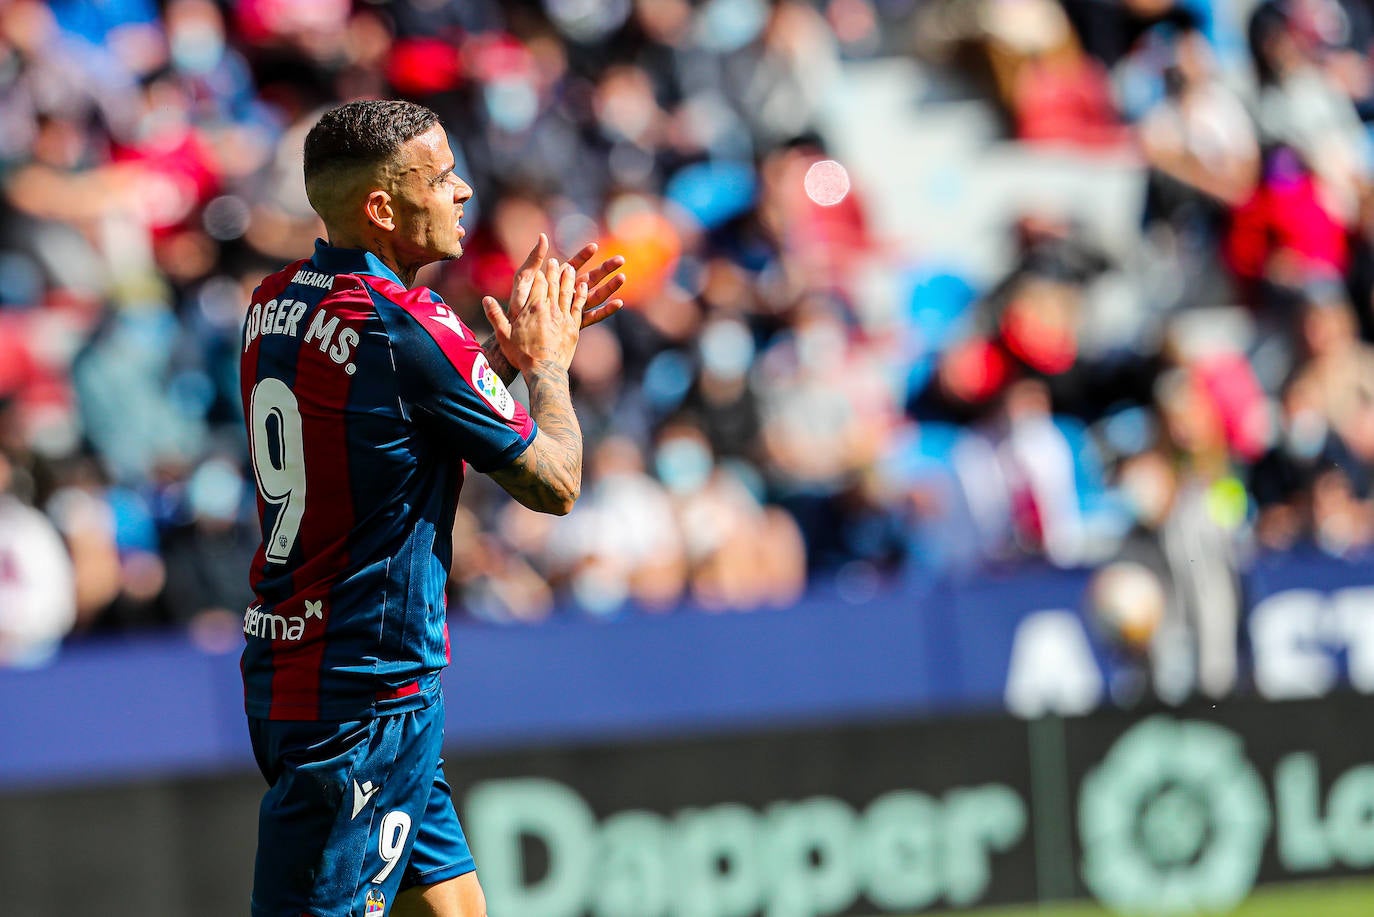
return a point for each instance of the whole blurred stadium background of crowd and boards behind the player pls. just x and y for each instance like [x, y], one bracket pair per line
[980, 483]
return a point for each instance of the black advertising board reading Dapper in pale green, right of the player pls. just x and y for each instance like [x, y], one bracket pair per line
[1170, 813]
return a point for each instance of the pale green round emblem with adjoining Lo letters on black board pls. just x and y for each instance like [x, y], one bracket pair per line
[1177, 819]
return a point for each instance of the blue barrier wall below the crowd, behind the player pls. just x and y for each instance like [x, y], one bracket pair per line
[159, 706]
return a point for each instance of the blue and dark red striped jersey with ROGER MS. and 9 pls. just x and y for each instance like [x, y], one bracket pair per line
[363, 402]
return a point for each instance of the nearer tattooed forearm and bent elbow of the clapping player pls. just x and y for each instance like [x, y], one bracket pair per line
[549, 475]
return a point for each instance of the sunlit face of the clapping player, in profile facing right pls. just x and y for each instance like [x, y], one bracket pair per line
[429, 201]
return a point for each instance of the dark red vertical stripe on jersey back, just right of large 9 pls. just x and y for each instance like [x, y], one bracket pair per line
[322, 394]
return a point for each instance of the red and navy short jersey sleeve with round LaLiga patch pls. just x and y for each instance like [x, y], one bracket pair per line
[447, 384]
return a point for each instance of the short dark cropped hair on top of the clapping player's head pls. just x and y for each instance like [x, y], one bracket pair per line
[363, 134]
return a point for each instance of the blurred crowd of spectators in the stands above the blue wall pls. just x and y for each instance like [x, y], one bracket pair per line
[755, 423]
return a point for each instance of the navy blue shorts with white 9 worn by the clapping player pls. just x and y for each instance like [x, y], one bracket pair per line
[355, 813]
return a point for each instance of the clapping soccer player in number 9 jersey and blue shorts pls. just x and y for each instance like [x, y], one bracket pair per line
[365, 399]
